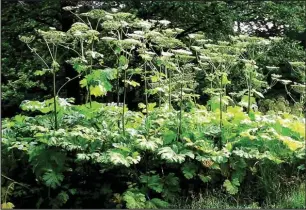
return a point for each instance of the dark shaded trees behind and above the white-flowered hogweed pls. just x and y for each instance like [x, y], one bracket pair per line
[215, 18]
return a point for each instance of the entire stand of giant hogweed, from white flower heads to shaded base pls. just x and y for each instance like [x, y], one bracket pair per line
[103, 155]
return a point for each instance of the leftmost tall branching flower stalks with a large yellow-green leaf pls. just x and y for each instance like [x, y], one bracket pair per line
[79, 35]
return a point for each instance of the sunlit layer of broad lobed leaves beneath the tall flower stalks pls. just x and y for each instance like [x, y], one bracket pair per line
[278, 141]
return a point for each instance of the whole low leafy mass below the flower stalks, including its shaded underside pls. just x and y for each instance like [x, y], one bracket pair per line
[150, 162]
